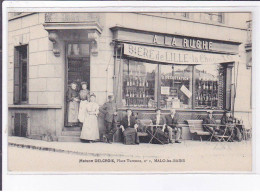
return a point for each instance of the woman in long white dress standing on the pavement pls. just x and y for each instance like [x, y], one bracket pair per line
[90, 130]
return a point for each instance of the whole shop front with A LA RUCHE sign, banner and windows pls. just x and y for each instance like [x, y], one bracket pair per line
[165, 71]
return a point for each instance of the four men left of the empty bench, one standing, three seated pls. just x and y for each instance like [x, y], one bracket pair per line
[129, 123]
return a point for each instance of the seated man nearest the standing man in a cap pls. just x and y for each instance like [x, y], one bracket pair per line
[128, 125]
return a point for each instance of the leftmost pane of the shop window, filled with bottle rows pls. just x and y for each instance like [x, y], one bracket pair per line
[140, 84]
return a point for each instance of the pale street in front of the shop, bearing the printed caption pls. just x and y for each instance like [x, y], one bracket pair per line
[192, 156]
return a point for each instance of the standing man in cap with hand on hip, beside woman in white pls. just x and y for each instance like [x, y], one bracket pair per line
[110, 112]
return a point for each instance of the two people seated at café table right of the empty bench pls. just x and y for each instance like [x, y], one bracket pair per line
[227, 126]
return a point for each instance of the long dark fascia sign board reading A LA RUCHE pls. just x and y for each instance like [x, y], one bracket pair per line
[175, 41]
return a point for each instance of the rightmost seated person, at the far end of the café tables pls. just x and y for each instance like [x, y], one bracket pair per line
[227, 121]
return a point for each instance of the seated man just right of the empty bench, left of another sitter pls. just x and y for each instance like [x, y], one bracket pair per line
[209, 124]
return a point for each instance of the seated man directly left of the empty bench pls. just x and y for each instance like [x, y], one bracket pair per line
[171, 122]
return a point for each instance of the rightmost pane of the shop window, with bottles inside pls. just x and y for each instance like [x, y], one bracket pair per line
[213, 86]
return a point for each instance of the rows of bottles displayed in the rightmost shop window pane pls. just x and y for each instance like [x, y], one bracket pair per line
[206, 94]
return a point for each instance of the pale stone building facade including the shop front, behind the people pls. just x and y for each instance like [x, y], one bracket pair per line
[188, 61]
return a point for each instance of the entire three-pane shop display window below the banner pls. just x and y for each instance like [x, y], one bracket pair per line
[148, 85]
